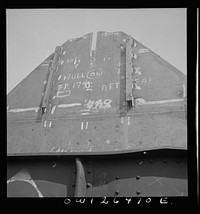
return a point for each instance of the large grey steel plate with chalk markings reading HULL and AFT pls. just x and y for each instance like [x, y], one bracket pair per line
[111, 94]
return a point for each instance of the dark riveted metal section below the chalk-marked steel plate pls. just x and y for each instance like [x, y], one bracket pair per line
[154, 173]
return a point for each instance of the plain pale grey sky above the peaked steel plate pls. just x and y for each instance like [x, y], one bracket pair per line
[33, 34]
